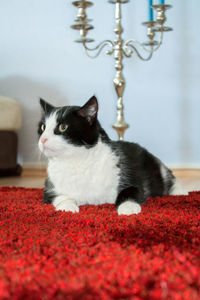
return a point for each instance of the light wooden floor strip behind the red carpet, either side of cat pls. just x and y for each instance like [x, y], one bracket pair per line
[190, 179]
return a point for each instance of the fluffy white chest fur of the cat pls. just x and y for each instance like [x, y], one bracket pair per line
[88, 176]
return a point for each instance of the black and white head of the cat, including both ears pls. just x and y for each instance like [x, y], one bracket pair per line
[62, 130]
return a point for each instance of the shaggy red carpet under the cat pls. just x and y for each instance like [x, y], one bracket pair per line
[96, 254]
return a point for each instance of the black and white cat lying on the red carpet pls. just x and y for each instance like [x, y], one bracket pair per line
[86, 167]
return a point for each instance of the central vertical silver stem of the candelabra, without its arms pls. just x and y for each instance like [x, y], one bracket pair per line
[119, 82]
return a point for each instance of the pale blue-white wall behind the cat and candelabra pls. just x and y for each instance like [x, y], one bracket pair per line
[38, 58]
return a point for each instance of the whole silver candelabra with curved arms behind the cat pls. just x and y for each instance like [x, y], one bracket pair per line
[120, 48]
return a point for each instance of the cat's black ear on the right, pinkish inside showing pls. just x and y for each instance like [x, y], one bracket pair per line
[89, 110]
